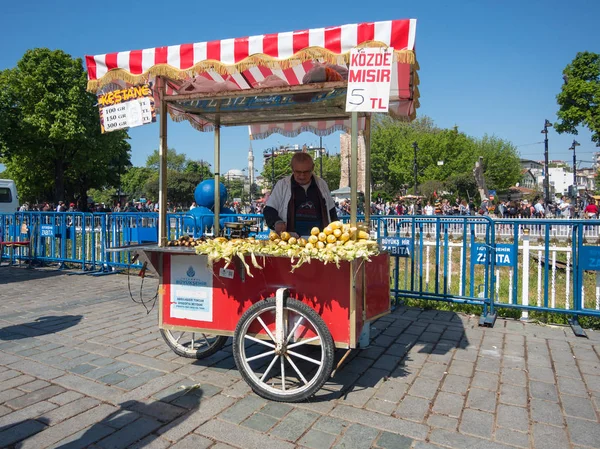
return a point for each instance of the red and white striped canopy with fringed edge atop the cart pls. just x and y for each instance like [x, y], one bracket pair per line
[269, 60]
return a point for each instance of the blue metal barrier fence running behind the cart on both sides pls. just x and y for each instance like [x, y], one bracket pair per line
[531, 265]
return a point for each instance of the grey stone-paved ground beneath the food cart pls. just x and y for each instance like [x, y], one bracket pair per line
[81, 365]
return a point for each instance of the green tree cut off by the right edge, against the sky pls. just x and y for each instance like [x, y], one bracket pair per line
[579, 99]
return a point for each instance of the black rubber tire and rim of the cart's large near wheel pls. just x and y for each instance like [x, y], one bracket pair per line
[326, 343]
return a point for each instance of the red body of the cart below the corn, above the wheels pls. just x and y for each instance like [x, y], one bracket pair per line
[324, 287]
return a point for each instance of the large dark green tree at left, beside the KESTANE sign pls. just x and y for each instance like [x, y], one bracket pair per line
[50, 139]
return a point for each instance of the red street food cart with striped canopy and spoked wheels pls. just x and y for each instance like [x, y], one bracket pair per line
[285, 325]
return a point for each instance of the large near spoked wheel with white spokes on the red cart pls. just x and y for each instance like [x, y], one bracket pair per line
[283, 349]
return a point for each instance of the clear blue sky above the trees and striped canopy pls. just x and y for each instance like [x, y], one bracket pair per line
[489, 67]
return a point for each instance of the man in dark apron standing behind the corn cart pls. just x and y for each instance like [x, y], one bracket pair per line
[300, 201]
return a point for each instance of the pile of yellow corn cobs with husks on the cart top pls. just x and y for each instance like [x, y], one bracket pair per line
[333, 244]
